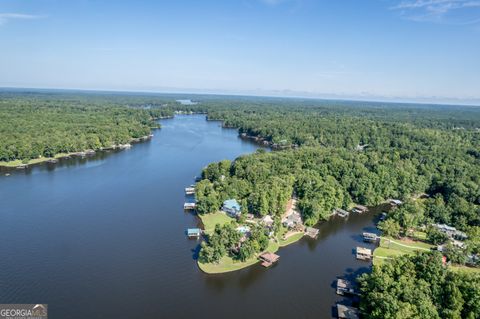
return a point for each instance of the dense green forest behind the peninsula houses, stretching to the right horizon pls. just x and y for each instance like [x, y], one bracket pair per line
[350, 154]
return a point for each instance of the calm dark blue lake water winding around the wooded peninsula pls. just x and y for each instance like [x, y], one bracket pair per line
[103, 237]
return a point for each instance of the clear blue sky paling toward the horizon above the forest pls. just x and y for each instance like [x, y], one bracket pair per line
[404, 50]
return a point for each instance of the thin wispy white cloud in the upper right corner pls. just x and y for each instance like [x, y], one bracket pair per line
[438, 10]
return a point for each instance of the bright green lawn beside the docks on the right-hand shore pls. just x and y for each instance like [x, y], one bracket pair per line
[390, 248]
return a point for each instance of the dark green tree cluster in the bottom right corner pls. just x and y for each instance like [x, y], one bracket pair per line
[419, 287]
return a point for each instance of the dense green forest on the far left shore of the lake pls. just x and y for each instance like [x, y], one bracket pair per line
[43, 125]
